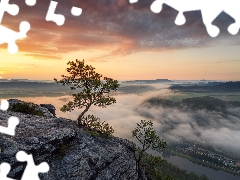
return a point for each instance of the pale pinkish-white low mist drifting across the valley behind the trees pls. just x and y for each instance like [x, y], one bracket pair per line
[221, 131]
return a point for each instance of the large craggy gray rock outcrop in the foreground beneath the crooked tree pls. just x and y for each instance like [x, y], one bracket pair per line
[71, 153]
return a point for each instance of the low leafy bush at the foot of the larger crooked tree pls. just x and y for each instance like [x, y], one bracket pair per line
[95, 127]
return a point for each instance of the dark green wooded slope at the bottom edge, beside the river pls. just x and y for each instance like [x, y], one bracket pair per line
[163, 170]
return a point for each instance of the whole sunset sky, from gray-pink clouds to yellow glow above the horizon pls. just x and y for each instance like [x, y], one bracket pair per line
[121, 40]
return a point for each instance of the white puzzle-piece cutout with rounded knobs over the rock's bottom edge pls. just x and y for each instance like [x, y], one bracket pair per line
[31, 171]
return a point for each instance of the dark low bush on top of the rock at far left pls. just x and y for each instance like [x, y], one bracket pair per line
[26, 108]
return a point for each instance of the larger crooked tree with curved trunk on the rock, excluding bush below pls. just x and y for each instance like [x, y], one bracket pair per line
[95, 89]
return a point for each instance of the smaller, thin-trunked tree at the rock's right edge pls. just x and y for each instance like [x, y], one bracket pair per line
[148, 138]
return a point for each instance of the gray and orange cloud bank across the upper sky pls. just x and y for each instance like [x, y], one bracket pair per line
[116, 26]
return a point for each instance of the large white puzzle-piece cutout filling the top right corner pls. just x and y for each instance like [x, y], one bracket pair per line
[209, 9]
